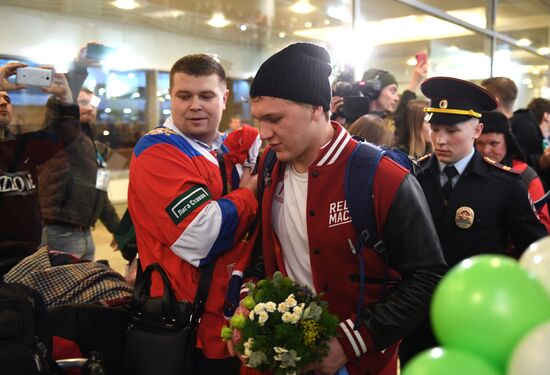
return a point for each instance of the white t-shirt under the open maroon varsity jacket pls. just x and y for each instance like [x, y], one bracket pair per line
[290, 224]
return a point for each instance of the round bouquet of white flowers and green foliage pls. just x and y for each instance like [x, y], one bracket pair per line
[287, 328]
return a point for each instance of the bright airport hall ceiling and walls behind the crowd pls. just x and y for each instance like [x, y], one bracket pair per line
[468, 39]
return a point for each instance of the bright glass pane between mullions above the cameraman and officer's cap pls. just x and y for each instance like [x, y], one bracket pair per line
[397, 35]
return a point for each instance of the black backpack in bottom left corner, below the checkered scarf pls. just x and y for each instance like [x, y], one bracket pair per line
[25, 340]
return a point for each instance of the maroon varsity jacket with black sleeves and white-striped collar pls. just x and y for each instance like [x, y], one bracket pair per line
[371, 346]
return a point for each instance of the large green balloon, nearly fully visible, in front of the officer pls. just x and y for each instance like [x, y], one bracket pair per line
[484, 306]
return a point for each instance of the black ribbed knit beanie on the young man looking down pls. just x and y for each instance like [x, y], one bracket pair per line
[299, 72]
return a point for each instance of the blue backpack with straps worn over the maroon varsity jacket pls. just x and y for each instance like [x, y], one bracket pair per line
[358, 186]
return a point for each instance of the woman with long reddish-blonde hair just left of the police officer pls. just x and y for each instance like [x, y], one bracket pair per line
[414, 134]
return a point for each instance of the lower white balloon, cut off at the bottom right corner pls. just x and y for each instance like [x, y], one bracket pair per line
[531, 357]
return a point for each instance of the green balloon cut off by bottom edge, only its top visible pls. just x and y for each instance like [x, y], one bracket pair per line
[439, 361]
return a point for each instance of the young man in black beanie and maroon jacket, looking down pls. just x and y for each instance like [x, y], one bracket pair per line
[307, 228]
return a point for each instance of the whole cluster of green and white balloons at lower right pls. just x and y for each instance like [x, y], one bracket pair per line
[492, 316]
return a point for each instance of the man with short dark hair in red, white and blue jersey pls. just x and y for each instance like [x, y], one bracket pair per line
[181, 219]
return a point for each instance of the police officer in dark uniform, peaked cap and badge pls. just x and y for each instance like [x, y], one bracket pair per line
[478, 205]
